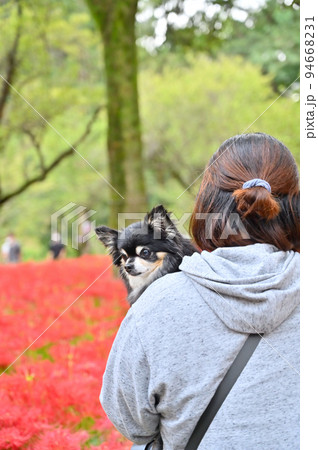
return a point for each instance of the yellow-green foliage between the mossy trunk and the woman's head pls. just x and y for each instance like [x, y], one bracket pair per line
[189, 111]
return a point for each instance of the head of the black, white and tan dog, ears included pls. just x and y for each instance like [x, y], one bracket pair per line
[140, 248]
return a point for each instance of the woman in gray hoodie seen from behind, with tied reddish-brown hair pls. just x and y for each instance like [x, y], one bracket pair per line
[180, 338]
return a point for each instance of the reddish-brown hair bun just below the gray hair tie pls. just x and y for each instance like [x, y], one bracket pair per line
[258, 201]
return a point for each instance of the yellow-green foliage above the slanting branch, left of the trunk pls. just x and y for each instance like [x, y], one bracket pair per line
[56, 76]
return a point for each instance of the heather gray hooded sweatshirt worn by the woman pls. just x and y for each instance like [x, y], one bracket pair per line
[180, 338]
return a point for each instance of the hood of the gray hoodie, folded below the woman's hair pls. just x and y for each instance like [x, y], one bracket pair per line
[252, 289]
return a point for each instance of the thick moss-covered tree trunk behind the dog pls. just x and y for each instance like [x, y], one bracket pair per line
[116, 22]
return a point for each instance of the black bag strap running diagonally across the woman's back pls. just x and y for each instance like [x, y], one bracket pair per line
[223, 390]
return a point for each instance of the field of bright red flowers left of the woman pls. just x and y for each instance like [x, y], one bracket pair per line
[64, 323]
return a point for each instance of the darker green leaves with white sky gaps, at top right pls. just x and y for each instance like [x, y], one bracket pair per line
[267, 35]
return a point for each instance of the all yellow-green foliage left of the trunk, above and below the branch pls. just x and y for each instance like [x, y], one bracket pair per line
[60, 75]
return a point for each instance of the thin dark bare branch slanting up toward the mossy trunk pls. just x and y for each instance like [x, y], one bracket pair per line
[45, 170]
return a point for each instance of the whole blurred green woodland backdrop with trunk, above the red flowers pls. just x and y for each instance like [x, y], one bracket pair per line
[144, 91]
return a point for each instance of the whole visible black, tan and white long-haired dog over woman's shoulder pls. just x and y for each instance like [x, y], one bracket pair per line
[146, 250]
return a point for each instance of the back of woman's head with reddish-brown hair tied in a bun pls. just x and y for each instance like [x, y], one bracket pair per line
[254, 214]
